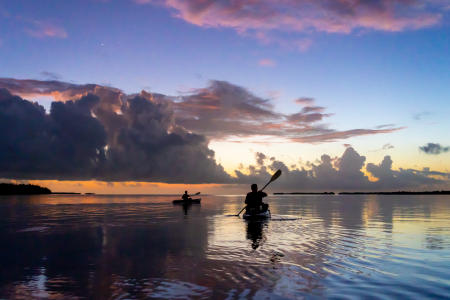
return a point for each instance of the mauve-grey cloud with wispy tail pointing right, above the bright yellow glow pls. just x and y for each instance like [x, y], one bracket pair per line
[224, 110]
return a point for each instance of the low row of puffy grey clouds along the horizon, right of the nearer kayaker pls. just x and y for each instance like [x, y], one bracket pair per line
[345, 173]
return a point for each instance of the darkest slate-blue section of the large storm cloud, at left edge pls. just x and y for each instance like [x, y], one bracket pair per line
[37, 145]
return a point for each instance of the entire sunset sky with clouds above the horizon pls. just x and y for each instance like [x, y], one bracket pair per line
[156, 96]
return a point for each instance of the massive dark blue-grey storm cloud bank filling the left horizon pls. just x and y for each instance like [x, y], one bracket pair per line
[96, 138]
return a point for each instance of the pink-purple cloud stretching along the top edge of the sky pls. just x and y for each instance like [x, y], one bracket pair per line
[264, 19]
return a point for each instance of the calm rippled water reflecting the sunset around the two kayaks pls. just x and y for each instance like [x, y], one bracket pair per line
[135, 247]
